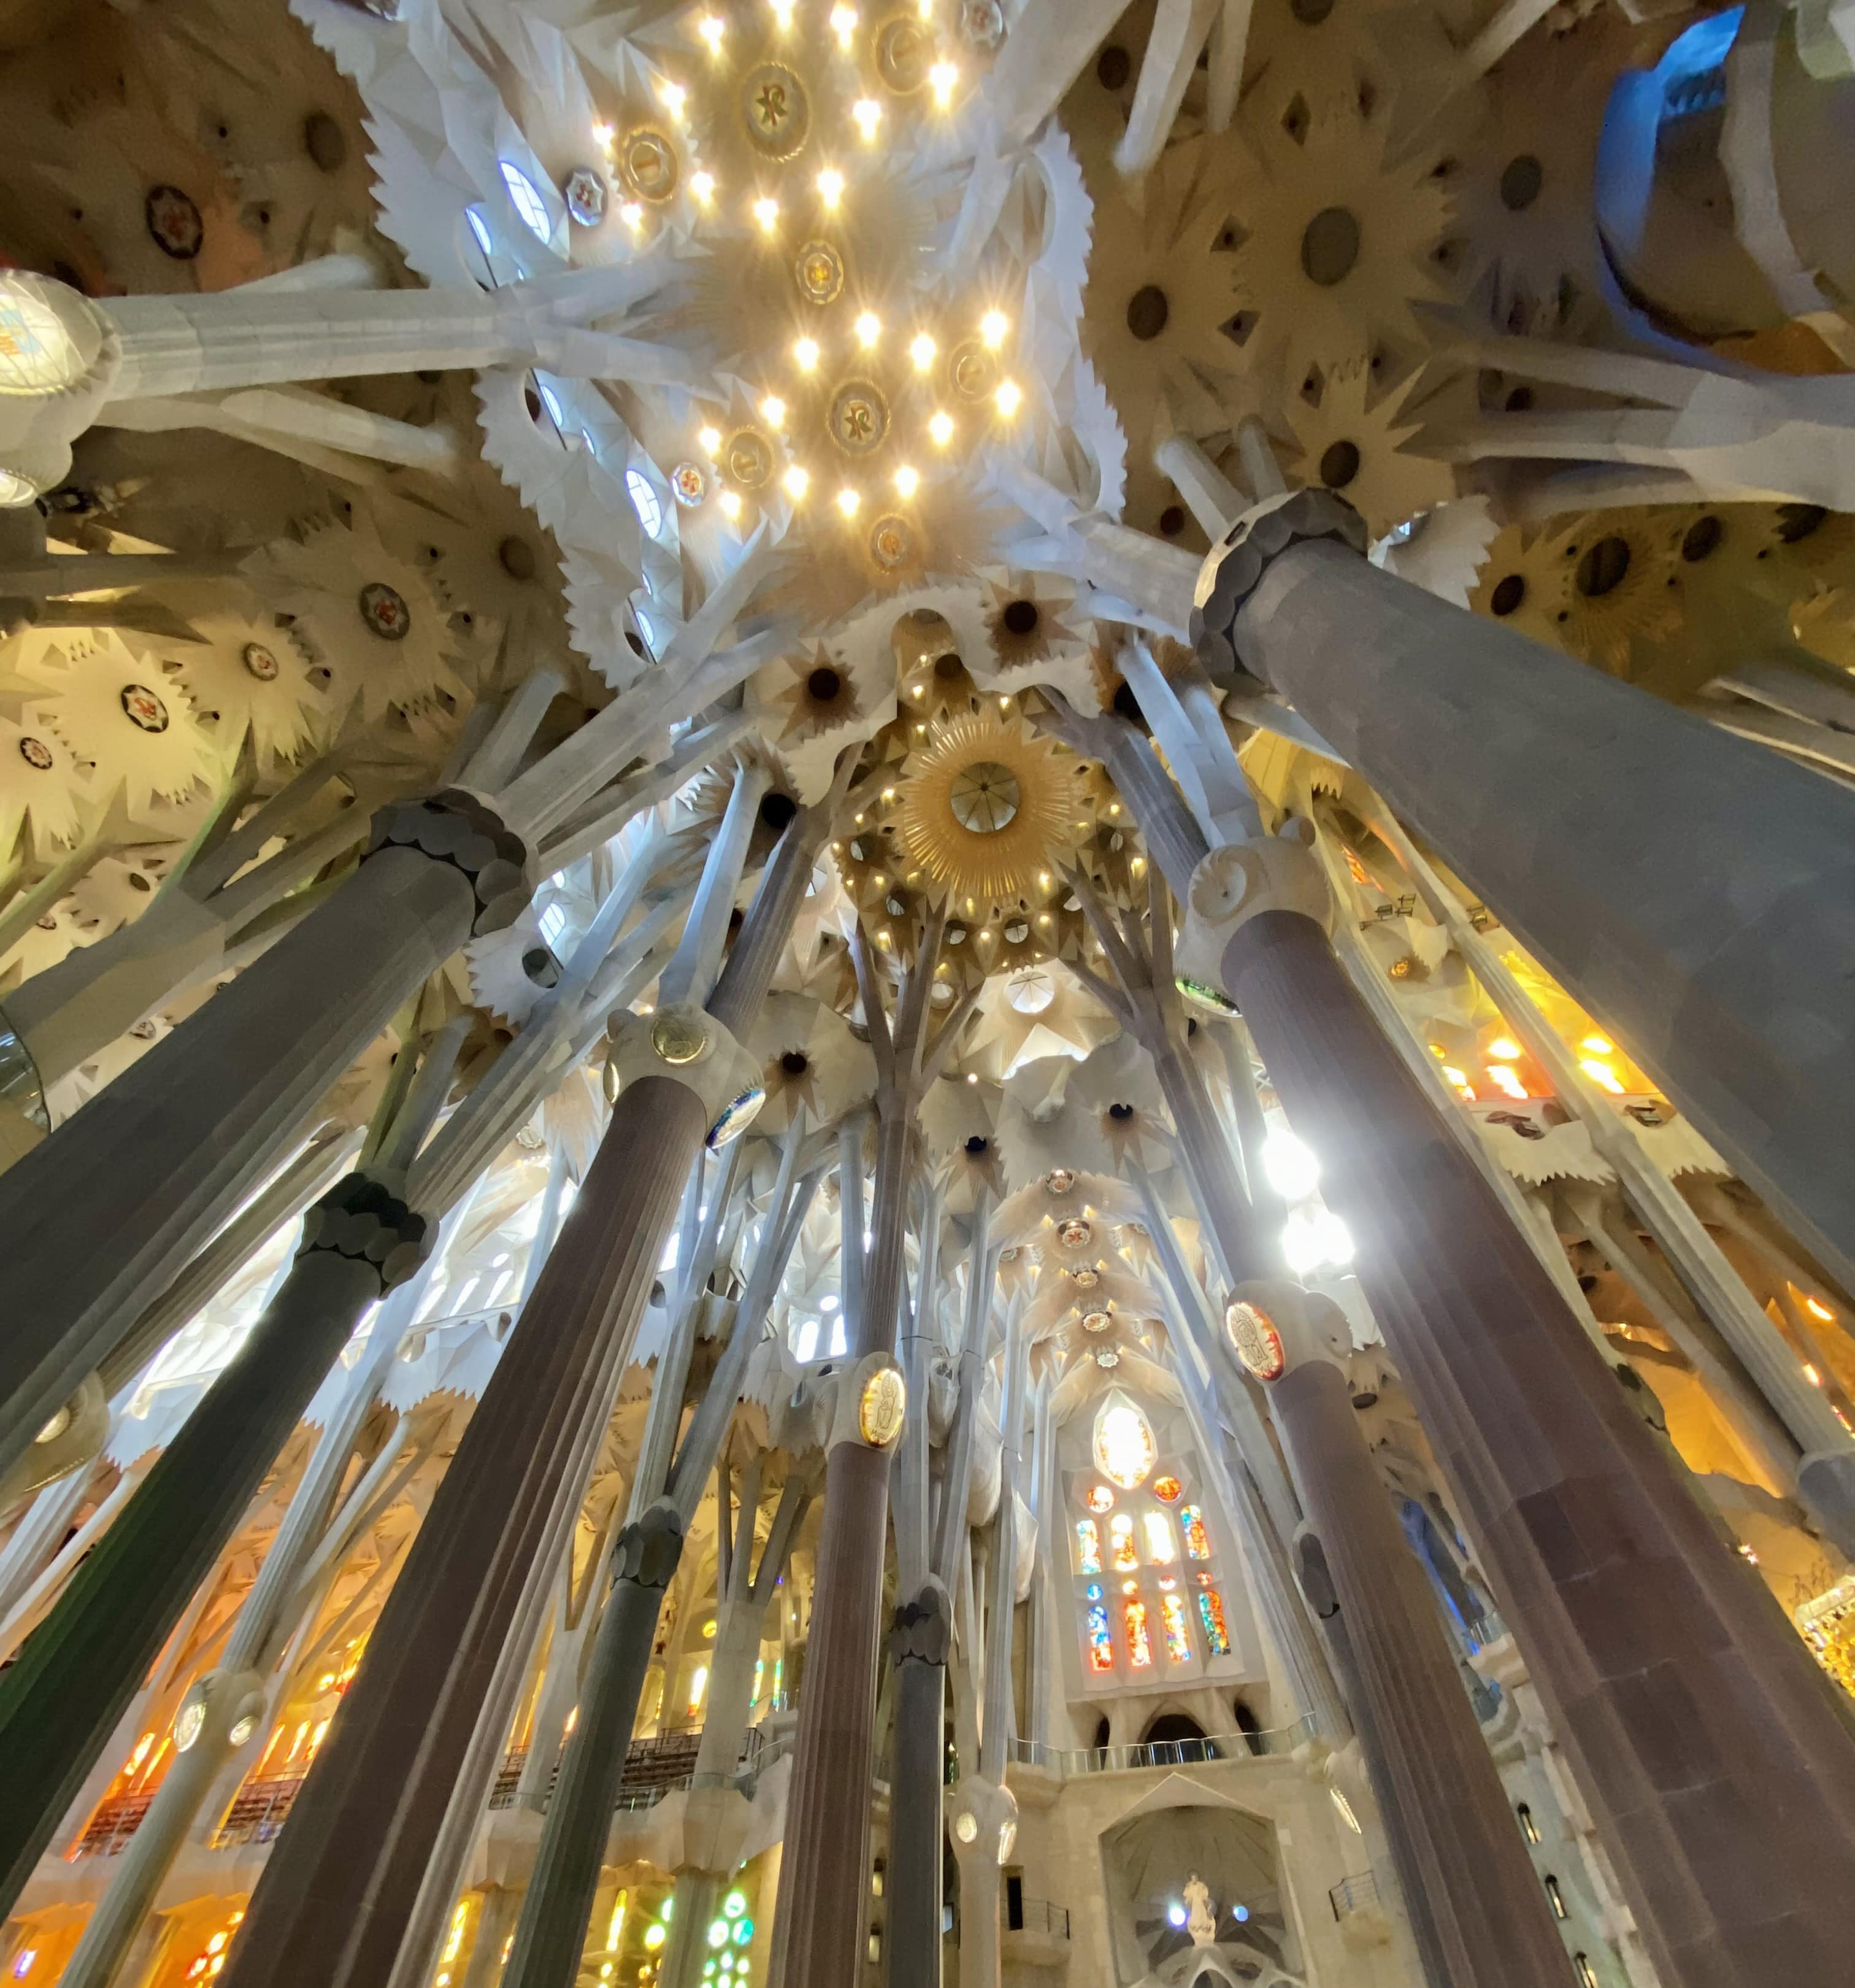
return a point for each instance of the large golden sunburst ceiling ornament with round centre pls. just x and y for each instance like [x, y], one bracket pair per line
[987, 808]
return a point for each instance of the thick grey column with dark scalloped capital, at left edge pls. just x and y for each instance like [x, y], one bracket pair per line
[106, 1212]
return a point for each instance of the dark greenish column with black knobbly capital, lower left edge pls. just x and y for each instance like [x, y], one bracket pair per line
[81, 1669]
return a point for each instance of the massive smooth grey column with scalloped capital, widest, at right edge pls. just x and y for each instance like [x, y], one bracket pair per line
[1695, 892]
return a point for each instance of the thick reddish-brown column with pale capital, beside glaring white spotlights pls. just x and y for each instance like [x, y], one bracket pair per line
[1719, 1766]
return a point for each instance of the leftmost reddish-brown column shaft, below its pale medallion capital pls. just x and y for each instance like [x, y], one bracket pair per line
[345, 1874]
